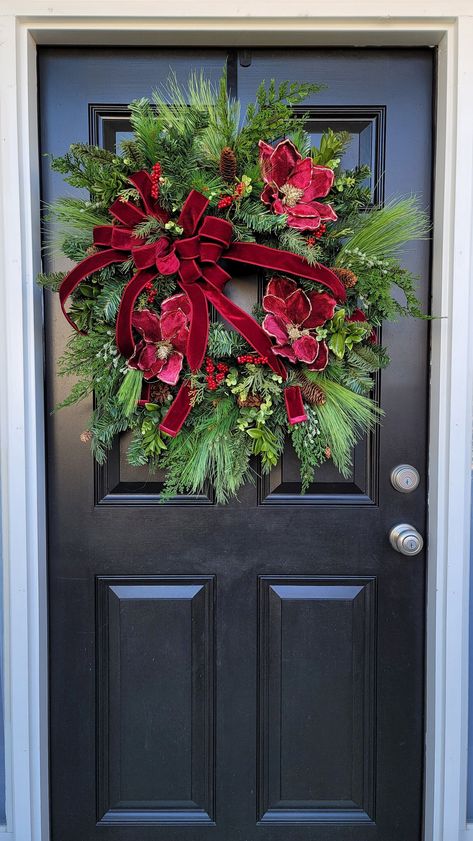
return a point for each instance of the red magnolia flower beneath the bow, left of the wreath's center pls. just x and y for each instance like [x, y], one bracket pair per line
[161, 351]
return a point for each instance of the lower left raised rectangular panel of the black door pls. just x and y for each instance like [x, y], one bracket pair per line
[155, 700]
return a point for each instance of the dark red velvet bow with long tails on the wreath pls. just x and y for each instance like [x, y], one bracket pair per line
[195, 257]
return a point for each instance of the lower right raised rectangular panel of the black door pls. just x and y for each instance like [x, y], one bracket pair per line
[317, 712]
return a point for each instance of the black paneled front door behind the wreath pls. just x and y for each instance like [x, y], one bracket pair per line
[252, 671]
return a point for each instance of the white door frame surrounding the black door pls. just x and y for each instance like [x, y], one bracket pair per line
[25, 23]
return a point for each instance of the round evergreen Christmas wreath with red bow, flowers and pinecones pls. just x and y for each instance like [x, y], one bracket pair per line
[195, 194]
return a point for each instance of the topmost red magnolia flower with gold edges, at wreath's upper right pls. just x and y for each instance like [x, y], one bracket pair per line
[292, 185]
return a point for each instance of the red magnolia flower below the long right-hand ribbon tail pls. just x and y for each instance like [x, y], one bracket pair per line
[294, 315]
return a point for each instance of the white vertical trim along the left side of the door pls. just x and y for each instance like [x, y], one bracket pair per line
[22, 449]
